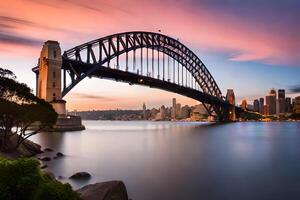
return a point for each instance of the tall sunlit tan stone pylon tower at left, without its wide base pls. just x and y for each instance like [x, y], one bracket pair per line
[49, 80]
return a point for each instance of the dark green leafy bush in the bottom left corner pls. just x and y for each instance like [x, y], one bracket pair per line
[21, 179]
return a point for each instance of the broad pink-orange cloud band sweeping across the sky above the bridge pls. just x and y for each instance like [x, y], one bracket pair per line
[75, 22]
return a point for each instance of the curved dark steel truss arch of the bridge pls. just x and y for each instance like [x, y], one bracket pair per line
[80, 66]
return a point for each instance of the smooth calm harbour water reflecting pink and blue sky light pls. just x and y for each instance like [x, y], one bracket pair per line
[178, 160]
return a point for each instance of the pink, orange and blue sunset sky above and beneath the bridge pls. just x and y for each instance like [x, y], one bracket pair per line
[248, 45]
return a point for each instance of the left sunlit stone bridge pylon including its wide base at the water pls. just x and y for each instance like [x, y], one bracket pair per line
[48, 77]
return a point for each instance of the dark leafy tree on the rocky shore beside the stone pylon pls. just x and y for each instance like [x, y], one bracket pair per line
[19, 110]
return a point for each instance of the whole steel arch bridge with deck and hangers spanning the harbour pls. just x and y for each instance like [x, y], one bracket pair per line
[142, 58]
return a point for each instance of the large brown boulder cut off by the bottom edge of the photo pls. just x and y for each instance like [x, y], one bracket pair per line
[111, 190]
